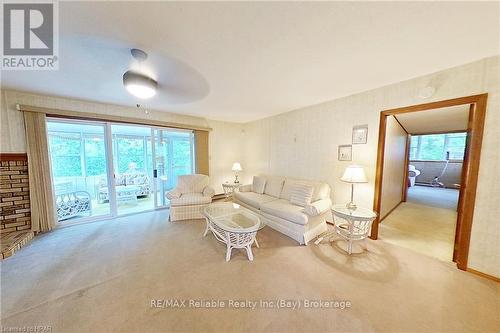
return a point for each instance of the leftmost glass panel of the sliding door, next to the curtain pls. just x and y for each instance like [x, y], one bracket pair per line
[79, 169]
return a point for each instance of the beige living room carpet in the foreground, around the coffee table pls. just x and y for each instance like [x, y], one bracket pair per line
[102, 277]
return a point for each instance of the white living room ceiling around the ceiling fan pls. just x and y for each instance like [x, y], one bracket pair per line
[241, 61]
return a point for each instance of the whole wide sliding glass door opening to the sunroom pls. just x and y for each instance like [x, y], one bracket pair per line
[105, 169]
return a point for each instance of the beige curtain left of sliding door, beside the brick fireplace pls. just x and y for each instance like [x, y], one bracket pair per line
[43, 213]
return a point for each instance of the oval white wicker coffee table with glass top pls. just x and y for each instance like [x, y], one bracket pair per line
[233, 225]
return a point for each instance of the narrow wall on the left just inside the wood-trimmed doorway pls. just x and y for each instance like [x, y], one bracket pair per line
[394, 166]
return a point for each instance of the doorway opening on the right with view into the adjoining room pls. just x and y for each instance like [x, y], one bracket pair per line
[425, 219]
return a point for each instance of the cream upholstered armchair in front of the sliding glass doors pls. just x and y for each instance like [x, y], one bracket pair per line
[190, 197]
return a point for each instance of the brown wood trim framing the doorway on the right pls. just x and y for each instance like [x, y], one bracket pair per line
[470, 169]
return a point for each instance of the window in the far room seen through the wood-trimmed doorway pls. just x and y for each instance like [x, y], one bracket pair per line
[436, 147]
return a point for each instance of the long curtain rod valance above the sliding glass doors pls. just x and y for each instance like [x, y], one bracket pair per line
[58, 113]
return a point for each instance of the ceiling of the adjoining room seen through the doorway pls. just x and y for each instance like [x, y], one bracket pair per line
[453, 118]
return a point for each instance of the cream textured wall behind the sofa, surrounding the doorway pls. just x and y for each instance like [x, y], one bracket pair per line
[303, 143]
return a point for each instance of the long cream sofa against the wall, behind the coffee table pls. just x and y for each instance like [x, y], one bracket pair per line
[302, 223]
